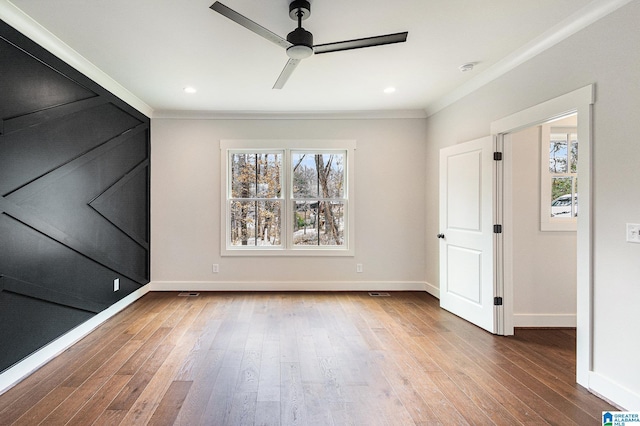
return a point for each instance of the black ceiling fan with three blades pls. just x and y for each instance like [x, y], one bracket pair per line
[299, 42]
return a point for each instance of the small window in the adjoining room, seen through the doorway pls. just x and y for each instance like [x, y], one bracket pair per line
[559, 178]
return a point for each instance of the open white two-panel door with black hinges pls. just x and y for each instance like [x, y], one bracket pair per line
[466, 231]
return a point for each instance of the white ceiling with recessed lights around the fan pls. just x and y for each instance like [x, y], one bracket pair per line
[154, 48]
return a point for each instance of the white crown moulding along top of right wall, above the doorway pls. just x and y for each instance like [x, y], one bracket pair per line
[584, 17]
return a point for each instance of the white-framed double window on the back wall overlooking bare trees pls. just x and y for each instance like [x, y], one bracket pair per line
[287, 197]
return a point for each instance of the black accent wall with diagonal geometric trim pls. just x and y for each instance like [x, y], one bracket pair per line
[74, 197]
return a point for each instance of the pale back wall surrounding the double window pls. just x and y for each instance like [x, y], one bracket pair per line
[389, 202]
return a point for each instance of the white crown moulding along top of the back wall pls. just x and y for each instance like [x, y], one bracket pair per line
[292, 115]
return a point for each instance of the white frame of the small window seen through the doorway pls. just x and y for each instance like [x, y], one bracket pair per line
[547, 222]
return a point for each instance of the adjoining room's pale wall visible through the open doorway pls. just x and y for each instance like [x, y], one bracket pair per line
[544, 263]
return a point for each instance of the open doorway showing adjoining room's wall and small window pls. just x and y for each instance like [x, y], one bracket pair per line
[542, 182]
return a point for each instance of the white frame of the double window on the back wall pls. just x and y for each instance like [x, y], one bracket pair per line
[286, 147]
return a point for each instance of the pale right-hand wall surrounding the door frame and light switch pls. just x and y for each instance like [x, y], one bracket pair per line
[606, 53]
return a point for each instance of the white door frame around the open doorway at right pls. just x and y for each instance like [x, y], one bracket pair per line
[579, 101]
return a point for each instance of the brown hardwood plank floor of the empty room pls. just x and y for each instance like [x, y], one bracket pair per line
[307, 359]
